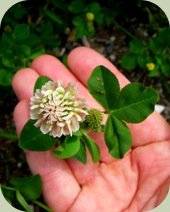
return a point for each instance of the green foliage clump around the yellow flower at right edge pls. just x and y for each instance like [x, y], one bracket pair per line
[154, 50]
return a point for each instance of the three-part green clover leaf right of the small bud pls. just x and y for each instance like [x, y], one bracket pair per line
[132, 104]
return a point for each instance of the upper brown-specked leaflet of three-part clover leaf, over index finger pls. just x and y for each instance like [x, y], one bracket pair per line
[104, 87]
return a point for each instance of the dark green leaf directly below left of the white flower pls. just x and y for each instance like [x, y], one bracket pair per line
[33, 139]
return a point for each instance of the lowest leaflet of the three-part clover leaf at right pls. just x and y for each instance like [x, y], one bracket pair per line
[117, 137]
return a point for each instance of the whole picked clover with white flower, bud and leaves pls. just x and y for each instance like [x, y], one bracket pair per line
[61, 121]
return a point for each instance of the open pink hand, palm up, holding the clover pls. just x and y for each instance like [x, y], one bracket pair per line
[138, 182]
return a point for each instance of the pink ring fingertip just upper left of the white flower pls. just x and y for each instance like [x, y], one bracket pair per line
[23, 83]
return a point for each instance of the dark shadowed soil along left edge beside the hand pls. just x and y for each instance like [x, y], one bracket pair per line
[12, 159]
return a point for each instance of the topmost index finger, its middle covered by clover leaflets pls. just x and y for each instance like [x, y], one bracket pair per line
[83, 60]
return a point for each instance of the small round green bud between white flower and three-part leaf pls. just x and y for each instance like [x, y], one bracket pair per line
[93, 120]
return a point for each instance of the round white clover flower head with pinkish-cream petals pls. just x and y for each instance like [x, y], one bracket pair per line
[57, 110]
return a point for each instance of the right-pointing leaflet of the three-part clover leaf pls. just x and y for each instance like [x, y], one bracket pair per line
[135, 103]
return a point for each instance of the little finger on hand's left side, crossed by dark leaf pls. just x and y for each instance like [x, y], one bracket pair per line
[55, 173]
